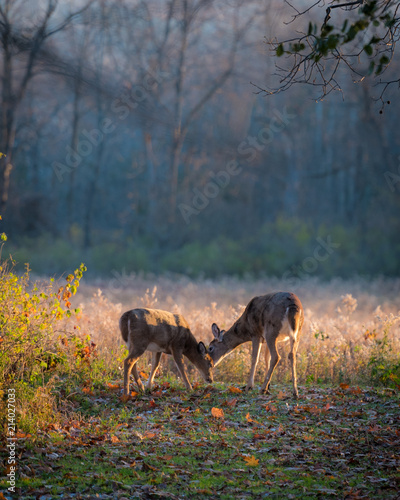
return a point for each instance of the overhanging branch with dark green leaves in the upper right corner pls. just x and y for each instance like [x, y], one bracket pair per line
[364, 45]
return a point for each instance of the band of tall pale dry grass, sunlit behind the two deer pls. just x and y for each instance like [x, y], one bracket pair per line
[345, 321]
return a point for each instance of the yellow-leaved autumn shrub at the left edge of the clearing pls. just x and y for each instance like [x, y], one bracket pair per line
[34, 352]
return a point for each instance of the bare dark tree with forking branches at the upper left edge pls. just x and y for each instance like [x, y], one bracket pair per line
[21, 49]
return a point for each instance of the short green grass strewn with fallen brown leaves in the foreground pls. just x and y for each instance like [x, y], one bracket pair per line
[216, 442]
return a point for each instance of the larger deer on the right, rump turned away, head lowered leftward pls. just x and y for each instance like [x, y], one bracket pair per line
[271, 318]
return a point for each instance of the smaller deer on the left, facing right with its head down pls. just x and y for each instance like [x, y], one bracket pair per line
[160, 331]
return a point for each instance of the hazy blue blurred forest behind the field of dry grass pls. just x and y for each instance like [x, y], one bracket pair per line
[136, 141]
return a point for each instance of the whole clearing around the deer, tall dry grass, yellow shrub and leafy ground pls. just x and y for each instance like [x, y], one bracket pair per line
[60, 382]
